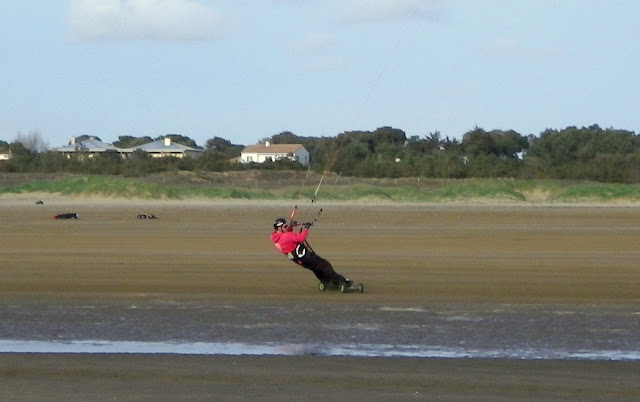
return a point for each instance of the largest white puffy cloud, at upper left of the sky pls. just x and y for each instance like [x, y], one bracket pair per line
[161, 20]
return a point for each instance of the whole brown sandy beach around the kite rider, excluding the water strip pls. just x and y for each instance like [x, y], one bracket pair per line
[507, 278]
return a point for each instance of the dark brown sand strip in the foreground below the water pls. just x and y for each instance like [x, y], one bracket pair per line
[245, 378]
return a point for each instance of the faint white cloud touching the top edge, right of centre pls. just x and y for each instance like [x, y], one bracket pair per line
[359, 11]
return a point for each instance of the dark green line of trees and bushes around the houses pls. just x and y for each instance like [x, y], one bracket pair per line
[587, 153]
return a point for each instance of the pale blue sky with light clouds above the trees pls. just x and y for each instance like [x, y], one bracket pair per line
[245, 70]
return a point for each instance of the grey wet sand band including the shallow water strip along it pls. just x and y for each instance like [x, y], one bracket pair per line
[602, 332]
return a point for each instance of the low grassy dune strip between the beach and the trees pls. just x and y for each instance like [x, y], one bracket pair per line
[301, 185]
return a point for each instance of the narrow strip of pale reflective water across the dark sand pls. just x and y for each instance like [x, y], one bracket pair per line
[270, 349]
